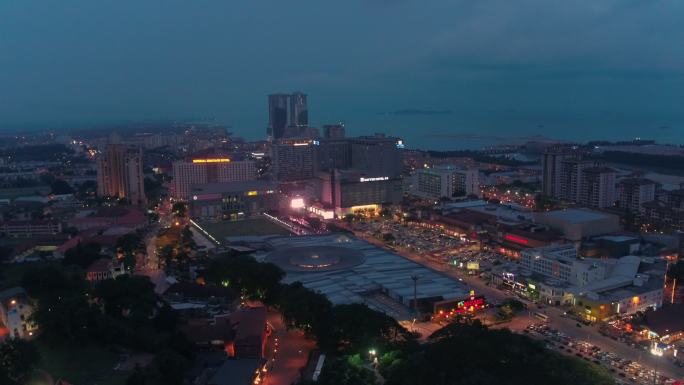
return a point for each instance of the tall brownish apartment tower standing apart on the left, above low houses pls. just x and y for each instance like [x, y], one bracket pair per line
[120, 174]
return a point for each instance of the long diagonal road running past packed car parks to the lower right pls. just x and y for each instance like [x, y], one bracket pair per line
[556, 319]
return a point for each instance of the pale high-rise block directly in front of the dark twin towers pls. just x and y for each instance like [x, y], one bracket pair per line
[293, 159]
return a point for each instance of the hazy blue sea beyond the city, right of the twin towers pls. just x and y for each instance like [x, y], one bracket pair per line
[453, 132]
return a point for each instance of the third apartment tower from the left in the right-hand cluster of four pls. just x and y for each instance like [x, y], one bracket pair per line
[598, 187]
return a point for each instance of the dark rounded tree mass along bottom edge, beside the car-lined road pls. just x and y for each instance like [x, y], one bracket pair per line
[469, 353]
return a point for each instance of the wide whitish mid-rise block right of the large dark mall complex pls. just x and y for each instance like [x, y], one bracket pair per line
[446, 182]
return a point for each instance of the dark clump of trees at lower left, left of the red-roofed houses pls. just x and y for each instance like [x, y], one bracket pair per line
[124, 312]
